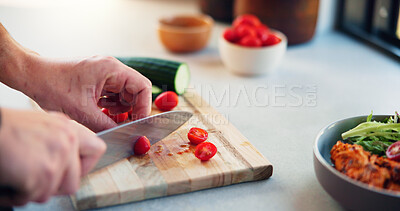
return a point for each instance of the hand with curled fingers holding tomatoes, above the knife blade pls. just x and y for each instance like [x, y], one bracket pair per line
[76, 87]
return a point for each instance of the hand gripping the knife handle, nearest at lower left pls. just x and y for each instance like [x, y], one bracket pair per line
[43, 154]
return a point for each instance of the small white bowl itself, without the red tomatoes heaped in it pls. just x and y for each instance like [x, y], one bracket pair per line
[252, 61]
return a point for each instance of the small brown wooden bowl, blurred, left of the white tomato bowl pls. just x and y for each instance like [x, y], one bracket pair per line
[185, 33]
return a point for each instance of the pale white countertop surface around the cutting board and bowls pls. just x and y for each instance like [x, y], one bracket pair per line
[330, 78]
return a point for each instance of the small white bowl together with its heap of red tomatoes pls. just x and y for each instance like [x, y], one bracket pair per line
[250, 47]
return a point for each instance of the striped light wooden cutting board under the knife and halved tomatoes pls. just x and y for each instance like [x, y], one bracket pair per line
[174, 171]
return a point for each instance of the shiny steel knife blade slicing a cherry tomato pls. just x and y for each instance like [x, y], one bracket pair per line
[121, 139]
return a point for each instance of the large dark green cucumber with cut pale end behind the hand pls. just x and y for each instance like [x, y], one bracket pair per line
[164, 74]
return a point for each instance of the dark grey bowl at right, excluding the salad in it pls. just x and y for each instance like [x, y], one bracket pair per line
[351, 194]
